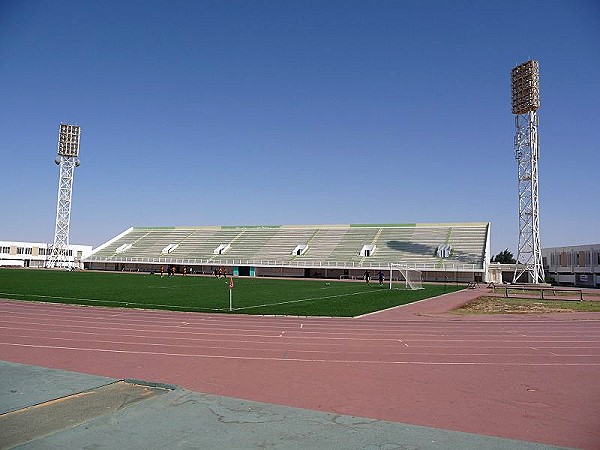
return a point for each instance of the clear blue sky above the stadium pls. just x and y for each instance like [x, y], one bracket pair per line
[295, 112]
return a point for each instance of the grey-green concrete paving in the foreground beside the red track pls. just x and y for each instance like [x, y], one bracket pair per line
[182, 419]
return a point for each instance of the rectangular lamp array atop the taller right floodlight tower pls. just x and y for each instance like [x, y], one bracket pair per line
[525, 87]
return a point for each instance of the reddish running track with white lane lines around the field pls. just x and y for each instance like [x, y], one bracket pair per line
[534, 378]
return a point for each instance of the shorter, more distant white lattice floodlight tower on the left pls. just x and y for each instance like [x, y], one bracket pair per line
[67, 160]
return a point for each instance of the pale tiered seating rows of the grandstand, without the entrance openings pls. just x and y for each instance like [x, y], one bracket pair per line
[335, 246]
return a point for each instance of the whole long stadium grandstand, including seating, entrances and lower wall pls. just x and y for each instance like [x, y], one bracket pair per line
[440, 251]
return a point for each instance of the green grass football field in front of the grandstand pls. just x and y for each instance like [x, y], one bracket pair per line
[208, 294]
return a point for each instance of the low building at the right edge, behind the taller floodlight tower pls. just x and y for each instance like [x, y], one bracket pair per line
[577, 265]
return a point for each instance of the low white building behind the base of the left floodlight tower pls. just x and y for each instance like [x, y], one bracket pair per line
[35, 254]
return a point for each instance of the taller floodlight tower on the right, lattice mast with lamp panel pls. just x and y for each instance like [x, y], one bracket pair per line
[525, 89]
